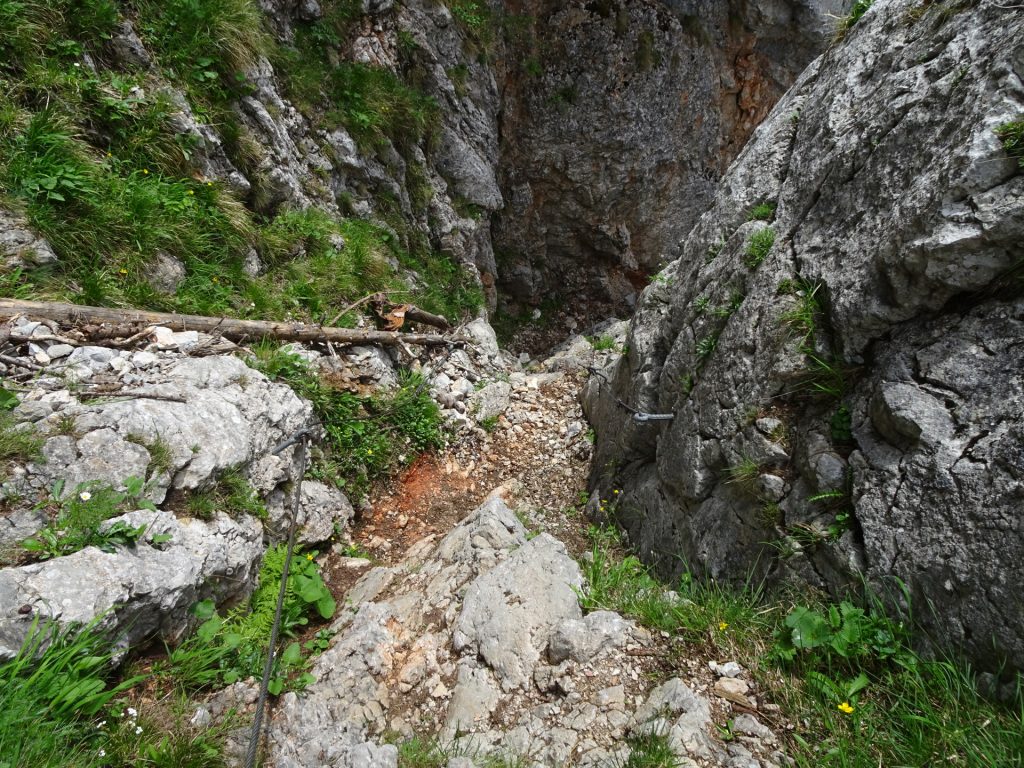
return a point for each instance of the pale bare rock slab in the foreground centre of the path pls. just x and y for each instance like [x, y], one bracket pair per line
[480, 638]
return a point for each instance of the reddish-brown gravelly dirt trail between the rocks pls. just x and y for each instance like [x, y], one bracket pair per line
[539, 451]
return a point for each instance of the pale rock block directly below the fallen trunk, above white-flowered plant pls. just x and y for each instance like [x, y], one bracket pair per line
[201, 416]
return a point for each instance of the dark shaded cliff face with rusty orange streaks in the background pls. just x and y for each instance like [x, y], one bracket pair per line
[620, 118]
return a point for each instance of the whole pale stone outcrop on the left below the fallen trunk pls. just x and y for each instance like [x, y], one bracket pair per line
[170, 425]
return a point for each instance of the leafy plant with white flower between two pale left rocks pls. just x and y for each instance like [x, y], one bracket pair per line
[80, 522]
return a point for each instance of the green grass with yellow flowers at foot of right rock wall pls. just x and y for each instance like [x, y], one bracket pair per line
[899, 708]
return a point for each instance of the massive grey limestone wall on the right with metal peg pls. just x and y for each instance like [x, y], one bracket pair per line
[871, 354]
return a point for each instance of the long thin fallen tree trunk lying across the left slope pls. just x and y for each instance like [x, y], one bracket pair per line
[109, 324]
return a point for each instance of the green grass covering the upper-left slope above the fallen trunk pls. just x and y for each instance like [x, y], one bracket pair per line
[93, 159]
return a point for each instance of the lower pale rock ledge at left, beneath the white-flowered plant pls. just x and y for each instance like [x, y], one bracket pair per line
[141, 593]
